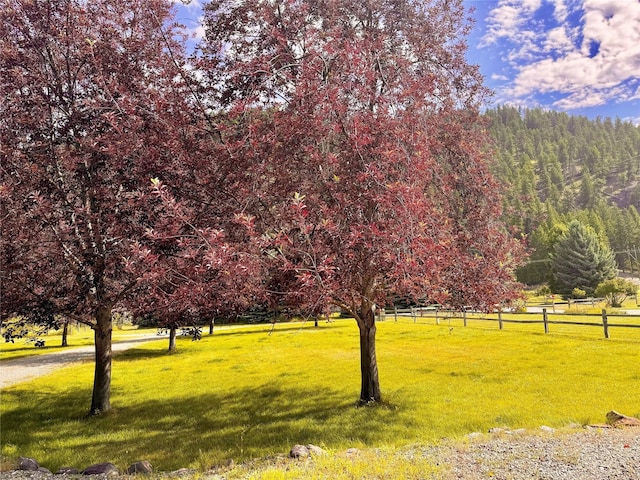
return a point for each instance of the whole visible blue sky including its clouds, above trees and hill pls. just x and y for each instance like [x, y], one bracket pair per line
[577, 56]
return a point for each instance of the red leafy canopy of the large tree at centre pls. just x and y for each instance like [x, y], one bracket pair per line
[358, 125]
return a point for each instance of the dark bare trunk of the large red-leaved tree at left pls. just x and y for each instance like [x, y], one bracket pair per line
[100, 401]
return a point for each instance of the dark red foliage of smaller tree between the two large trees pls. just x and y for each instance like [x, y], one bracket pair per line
[197, 265]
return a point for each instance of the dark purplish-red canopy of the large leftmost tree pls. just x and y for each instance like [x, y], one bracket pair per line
[87, 93]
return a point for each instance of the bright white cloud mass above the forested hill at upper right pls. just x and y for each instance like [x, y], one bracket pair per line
[589, 63]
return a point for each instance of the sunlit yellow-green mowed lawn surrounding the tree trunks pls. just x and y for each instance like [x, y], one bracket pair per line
[246, 393]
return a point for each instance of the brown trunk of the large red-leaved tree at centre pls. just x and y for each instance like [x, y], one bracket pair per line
[370, 389]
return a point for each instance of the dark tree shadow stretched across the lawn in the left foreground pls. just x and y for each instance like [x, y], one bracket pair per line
[198, 431]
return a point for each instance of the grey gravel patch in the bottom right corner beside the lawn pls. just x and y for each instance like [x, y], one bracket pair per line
[592, 454]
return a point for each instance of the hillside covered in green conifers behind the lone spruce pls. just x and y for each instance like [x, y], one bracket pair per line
[556, 168]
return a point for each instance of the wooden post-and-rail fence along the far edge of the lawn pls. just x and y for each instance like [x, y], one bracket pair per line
[604, 320]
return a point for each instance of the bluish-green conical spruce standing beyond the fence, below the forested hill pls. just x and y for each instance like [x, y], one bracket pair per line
[581, 260]
